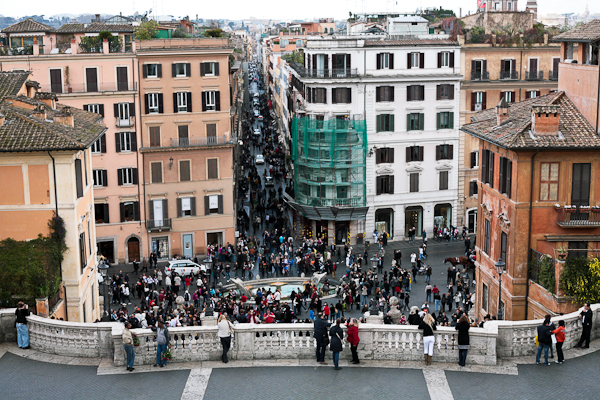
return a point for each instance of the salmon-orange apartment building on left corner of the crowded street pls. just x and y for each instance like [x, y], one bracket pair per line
[186, 144]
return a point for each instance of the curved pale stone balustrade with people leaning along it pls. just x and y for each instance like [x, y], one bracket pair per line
[275, 341]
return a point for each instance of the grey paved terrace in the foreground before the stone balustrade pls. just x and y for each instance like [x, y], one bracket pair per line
[27, 374]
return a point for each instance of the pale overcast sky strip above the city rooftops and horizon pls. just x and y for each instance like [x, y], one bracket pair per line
[267, 9]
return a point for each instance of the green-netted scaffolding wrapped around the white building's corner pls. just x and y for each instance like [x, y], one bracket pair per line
[330, 172]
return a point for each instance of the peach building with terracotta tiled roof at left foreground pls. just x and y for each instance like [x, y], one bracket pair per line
[45, 168]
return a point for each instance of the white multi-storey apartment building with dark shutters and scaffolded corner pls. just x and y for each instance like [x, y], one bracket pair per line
[411, 167]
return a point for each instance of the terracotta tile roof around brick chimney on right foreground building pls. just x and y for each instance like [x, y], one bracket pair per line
[515, 133]
